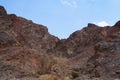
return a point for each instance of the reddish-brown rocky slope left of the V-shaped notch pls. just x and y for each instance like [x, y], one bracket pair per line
[24, 46]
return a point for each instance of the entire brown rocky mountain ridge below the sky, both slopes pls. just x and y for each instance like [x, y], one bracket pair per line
[28, 51]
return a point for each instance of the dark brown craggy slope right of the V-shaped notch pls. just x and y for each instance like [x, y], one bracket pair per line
[105, 50]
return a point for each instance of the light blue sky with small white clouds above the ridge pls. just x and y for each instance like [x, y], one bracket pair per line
[63, 17]
